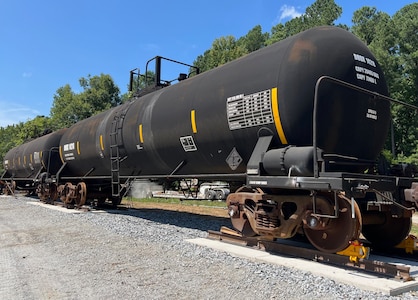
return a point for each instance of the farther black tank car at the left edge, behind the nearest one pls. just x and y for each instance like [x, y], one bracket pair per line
[24, 163]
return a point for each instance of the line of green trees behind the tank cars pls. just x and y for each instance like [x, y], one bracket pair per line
[392, 39]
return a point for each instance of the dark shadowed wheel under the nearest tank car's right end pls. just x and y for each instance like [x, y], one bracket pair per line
[388, 234]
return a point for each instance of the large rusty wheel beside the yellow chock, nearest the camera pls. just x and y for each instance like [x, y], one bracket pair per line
[333, 234]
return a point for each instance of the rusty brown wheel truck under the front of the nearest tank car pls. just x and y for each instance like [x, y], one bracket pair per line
[282, 216]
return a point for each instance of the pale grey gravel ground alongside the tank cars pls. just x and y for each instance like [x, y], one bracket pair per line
[138, 254]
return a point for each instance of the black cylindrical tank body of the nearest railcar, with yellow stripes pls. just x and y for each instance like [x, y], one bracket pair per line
[210, 123]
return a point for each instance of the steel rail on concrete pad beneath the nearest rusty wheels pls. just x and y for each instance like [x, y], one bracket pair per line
[302, 250]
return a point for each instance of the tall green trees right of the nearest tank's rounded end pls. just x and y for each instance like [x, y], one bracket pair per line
[394, 43]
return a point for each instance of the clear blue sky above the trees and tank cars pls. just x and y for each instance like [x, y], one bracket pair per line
[46, 44]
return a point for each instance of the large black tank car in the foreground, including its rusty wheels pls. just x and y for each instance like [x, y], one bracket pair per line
[299, 124]
